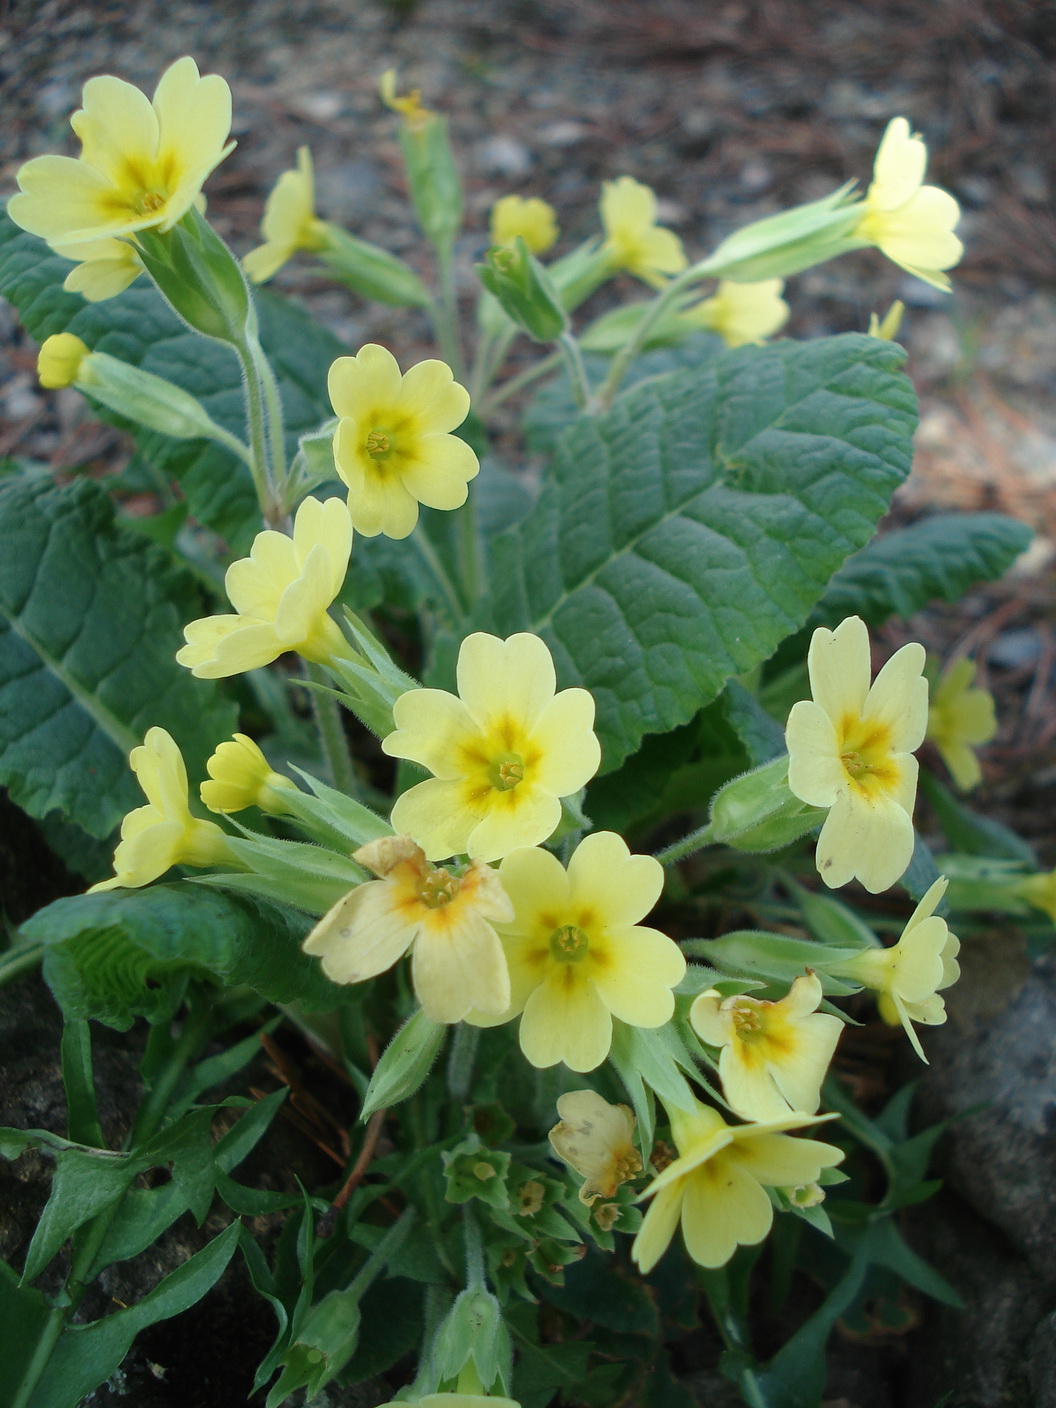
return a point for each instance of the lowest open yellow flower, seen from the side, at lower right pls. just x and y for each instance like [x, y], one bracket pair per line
[717, 1186]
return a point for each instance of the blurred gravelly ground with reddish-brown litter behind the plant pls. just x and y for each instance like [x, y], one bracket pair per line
[731, 111]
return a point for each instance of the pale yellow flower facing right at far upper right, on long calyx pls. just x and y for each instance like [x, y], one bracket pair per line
[909, 222]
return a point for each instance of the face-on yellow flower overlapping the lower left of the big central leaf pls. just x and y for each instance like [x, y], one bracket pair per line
[503, 754]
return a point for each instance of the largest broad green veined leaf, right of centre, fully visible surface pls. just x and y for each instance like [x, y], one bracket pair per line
[693, 527]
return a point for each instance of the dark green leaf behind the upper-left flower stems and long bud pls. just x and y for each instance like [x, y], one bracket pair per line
[140, 329]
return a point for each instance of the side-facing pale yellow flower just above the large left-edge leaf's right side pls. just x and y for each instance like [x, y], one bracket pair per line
[281, 593]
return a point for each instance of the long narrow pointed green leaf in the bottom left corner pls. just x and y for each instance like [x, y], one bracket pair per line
[88, 1355]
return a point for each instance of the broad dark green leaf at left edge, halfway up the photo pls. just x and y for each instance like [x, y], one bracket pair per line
[91, 619]
